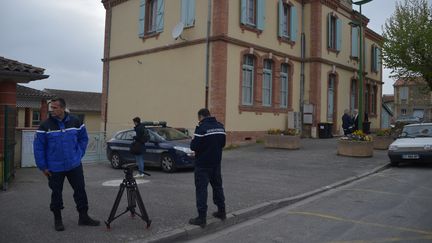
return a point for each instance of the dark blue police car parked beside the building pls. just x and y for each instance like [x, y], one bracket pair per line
[168, 148]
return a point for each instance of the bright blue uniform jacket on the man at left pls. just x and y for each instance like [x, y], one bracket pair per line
[59, 145]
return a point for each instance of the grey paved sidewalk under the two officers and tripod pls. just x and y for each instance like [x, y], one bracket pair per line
[252, 175]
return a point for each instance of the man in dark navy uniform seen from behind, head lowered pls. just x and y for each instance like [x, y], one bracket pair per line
[208, 142]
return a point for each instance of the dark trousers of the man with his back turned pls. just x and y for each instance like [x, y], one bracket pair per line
[202, 178]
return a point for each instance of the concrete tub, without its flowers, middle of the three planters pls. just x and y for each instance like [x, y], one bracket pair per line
[355, 148]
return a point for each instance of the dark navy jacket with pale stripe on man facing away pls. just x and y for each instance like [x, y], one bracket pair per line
[208, 142]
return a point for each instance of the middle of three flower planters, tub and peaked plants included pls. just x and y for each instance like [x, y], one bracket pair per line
[356, 144]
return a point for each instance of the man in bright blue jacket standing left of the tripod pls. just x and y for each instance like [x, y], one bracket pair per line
[59, 146]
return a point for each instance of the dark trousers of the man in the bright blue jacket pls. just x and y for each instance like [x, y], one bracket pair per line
[76, 180]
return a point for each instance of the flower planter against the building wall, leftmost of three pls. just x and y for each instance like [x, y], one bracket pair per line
[286, 139]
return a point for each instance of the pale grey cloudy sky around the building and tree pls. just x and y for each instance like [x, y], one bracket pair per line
[66, 38]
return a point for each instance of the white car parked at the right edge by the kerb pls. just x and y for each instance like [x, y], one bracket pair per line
[414, 144]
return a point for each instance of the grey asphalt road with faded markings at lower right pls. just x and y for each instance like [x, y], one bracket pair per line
[391, 206]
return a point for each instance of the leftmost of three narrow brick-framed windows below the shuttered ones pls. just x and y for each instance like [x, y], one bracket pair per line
[248, 79]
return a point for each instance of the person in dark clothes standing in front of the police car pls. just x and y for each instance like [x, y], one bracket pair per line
[141, 137]
